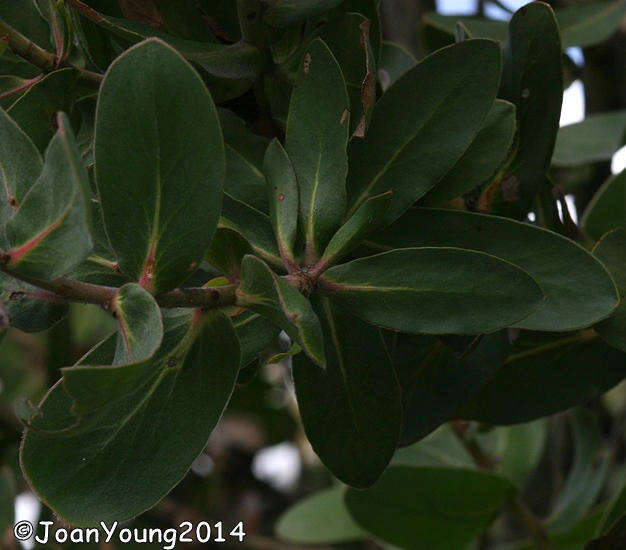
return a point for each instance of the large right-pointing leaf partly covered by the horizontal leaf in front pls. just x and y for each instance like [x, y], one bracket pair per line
[575, 298]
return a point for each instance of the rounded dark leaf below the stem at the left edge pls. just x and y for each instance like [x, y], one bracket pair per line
[29, 308]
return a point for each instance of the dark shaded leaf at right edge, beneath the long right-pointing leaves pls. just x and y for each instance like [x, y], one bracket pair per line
[533, 374]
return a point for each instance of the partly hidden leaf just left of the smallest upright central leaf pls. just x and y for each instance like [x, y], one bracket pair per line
[254, 225]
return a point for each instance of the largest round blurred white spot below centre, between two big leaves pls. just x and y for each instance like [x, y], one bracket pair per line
[279, 465]
